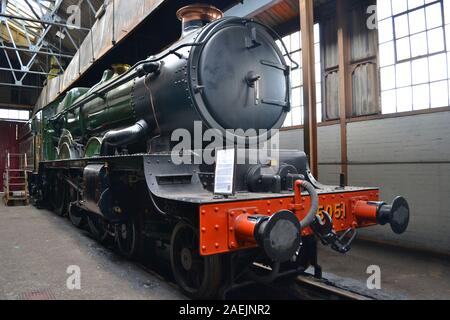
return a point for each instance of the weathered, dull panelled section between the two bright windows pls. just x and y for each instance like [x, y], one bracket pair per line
[361, 71]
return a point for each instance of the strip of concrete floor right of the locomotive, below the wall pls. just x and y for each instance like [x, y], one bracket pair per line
[405, 274]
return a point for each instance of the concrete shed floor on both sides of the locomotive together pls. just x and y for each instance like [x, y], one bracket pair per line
[37, 247]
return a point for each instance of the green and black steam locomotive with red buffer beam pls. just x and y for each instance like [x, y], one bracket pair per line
[104, 156]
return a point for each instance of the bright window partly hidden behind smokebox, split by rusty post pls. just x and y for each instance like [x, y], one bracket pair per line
[293, 45]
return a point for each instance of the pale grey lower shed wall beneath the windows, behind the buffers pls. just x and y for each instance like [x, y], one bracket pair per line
[407, 156]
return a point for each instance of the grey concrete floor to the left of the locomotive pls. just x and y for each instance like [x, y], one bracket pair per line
[37, 247]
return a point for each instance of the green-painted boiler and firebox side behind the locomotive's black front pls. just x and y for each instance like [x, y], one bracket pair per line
[93, 119]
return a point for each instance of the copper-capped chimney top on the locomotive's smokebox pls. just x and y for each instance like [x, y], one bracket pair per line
[197, 15]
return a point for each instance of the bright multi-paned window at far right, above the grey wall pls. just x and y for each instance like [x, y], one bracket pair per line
[414, 54]
